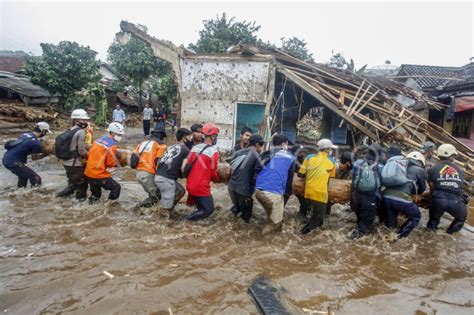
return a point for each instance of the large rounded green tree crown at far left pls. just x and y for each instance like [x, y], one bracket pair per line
[64, 68]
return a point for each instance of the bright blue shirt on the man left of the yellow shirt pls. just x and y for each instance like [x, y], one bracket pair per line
[276, 175]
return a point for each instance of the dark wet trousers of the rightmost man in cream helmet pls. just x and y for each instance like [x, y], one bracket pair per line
[454, 206]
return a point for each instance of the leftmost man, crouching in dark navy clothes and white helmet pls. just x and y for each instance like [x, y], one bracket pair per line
[17, 154]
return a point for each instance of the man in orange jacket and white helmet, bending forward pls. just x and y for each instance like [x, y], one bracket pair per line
[102, 156]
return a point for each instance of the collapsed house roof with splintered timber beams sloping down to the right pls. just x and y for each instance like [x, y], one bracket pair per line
[370, 105]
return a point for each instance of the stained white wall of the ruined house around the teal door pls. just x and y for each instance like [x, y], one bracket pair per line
[211, 87]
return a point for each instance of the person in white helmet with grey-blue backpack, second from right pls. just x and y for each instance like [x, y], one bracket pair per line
[397, 199]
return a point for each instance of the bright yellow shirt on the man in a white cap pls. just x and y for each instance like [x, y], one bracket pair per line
[317, 168]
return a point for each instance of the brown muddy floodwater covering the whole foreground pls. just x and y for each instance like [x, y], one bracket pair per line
[53, 254]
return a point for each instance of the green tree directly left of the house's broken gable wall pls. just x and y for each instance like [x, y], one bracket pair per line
[134, 61]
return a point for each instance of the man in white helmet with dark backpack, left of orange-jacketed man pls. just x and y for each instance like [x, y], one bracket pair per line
[70, 146]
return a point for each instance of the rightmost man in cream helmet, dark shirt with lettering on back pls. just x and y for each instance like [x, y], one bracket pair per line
[446, 181]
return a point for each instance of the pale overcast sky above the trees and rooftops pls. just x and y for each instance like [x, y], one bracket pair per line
[424, 32]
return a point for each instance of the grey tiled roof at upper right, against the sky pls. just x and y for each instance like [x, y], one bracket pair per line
[431, 76]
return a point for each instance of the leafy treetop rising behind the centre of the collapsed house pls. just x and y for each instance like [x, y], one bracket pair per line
[221, 33]
